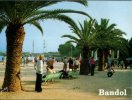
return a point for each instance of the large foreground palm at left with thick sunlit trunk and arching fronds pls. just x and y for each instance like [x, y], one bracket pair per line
[14, 15]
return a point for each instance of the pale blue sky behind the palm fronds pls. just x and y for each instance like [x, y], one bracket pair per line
[119, 12]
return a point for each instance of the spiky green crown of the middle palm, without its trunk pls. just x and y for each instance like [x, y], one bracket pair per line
[84, 34]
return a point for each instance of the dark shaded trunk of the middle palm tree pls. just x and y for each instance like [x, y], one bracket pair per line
[85, 67]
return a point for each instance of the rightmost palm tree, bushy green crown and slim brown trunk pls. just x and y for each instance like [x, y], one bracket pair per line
[107, 37]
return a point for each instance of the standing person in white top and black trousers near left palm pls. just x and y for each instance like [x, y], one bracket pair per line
[39, 72]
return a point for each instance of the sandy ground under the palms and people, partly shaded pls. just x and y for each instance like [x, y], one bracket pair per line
[81, 88]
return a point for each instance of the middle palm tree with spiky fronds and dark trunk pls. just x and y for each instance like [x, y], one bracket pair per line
[83, 36]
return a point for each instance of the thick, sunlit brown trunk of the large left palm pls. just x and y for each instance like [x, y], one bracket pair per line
[15, 36]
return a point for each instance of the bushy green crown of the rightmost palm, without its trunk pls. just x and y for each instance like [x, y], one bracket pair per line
[108, 37]
